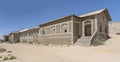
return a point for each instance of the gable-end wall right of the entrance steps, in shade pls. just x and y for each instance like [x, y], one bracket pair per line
[103, 22]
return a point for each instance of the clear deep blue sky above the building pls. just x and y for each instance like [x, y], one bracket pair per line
[19, 14]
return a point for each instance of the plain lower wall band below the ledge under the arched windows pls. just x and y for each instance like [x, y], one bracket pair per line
[55, 39]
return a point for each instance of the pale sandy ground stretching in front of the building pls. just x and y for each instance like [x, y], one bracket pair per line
[110, 52]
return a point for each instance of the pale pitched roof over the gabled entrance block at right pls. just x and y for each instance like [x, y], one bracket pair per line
[97, 12]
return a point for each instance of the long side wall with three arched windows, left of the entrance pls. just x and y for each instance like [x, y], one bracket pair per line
[58, 37]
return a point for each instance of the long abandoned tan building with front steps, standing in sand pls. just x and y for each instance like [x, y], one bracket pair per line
[72, 30]
